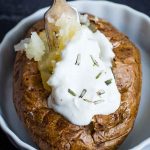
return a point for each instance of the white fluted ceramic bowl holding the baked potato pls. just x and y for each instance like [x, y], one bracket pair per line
[133, 23]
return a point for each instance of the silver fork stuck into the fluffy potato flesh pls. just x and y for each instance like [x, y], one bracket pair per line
[58, 8]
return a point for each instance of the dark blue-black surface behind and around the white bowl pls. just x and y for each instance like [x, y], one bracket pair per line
[12, 11]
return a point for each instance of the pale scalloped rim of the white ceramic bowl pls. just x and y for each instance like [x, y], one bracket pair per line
[3, 123]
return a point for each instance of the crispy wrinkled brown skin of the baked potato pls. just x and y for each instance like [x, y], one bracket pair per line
[50, 130]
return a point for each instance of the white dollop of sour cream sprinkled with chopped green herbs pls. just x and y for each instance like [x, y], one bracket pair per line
[83, 84]
